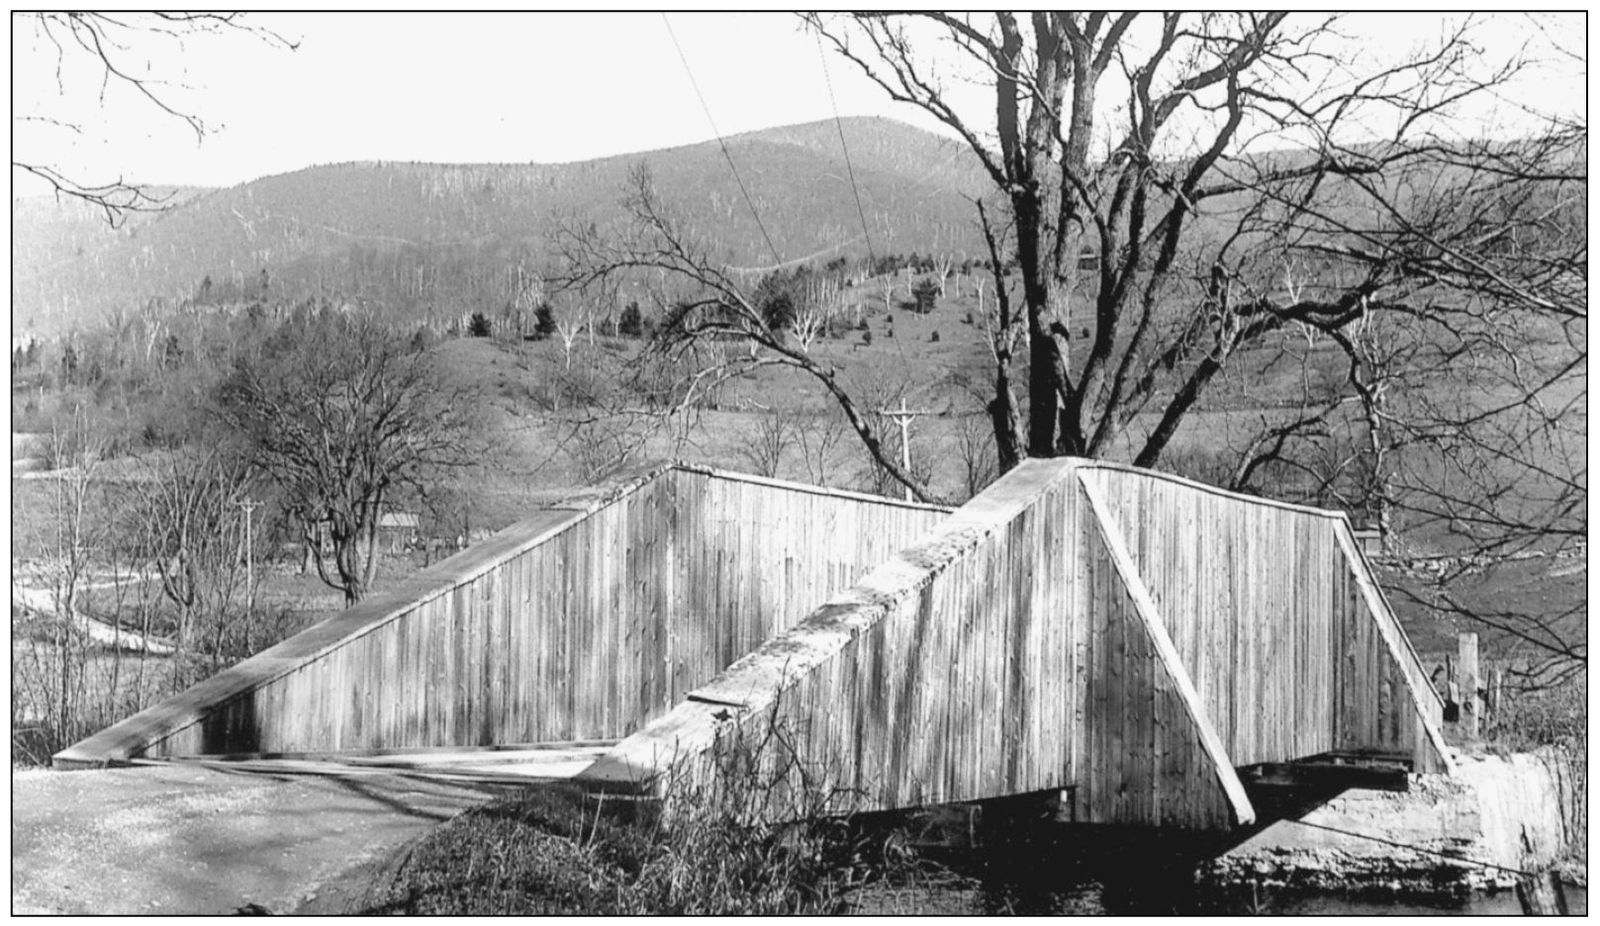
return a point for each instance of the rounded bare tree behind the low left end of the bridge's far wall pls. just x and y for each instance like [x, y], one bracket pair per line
[348, 418]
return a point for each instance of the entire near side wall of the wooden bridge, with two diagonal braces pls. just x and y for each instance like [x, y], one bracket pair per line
[1122, 634]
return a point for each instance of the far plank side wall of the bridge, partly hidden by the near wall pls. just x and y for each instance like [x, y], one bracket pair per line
[570, 626]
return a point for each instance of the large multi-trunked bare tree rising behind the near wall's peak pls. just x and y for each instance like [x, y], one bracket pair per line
[1153, 245]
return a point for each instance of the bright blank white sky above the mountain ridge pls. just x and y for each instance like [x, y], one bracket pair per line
[535, 87]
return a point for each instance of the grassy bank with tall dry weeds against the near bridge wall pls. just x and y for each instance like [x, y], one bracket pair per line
[711, 847]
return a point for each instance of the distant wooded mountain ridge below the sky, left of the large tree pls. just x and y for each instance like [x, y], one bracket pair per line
[452, 237]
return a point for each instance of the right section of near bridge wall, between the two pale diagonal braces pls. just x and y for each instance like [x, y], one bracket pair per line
[1278, 620]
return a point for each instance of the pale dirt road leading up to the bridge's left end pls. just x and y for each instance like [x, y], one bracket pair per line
[196, 840]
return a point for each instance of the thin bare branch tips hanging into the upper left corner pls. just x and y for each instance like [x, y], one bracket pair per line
[119, 50]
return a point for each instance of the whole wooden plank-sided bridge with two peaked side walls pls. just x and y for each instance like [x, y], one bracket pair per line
[1119, 637]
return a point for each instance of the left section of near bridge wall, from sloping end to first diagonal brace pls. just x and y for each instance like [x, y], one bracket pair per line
[1004, 655]
